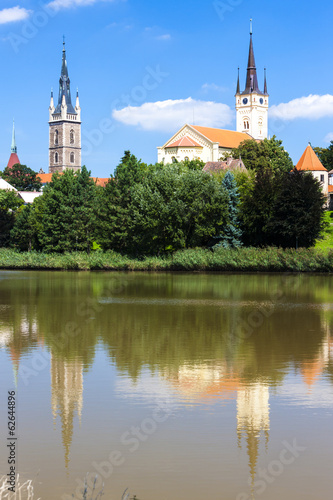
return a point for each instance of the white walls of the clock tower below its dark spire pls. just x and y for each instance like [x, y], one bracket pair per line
[252, 115]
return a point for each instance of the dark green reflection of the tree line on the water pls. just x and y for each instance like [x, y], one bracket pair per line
[180, 319]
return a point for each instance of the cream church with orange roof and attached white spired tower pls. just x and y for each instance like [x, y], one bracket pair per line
[211, 144]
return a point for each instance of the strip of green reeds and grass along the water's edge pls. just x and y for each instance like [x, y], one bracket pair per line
[238, 260]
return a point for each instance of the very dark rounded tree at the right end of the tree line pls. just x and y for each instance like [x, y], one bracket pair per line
[297, 218]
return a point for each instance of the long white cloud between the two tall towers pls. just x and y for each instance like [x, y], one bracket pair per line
[172, 114]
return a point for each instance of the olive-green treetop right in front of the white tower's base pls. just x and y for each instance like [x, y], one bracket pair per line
[268, 153]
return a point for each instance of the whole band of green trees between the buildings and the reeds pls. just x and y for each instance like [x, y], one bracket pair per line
[158, 209]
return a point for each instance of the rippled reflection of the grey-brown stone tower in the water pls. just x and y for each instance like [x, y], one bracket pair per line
[67, 396]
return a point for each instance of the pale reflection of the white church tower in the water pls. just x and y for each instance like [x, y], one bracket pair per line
[252, 419]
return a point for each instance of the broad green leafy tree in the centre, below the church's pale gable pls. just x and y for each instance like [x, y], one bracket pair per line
[176, 208]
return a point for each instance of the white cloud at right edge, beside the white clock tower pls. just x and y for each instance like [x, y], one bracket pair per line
[311, 107]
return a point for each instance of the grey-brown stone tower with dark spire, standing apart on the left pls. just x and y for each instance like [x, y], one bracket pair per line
[65, 126]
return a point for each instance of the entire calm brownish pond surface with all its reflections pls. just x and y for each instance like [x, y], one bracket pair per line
[177, 386]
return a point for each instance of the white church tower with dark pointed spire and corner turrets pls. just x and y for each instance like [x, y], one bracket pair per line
[252, 104]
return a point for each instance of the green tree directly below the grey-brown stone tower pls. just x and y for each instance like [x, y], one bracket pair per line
[69, 212]
